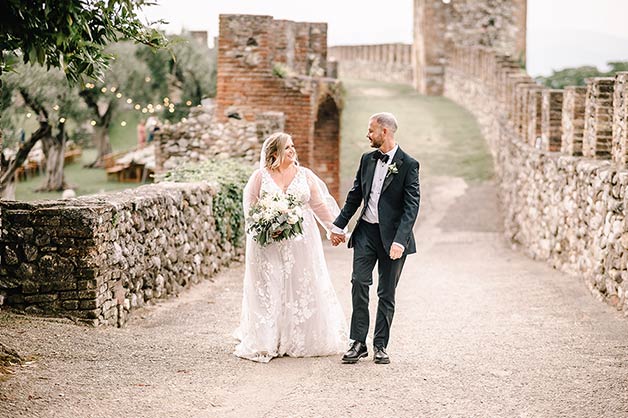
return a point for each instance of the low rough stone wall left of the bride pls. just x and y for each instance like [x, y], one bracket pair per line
[97, 258]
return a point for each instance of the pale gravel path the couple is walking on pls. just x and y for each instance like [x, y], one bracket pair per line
[480, 331]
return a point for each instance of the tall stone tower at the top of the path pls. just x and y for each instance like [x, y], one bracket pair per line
[439, 26]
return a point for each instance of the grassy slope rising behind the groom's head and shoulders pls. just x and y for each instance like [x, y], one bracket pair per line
[443, 136]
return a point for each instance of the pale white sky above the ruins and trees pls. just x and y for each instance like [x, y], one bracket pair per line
[561, 33]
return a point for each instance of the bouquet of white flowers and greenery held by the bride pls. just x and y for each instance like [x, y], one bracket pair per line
[275, 217]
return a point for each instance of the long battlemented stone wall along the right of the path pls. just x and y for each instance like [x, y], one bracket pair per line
[562, 207]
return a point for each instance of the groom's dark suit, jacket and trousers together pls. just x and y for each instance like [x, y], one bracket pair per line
[397, 207]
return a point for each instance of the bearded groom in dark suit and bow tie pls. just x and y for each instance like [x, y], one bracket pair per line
[387, 183]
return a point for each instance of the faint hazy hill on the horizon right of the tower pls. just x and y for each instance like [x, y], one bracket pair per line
[555, 50]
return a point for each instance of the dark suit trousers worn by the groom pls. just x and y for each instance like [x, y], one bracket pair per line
[368, 249]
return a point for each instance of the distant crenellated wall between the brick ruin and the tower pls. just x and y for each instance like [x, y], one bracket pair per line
[384, 62]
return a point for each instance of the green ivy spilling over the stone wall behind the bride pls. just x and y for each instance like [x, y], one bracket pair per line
[231, 176]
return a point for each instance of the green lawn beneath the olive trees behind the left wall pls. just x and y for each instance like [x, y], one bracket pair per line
[88, 180]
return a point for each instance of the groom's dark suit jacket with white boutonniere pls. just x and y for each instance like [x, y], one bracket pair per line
[398, 204]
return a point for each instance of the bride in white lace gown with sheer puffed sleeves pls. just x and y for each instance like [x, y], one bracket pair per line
[289, 306]
